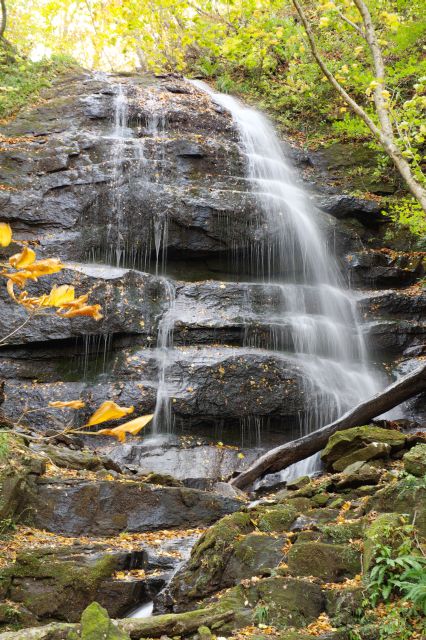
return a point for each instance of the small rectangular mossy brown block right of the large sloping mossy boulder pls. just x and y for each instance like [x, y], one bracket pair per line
[329, 562]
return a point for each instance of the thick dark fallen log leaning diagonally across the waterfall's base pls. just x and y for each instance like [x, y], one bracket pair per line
[283, 456]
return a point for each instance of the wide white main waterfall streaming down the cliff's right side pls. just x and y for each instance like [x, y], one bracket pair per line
[317, 322]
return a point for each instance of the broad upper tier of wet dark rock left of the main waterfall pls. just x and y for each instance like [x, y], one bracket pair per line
[68, 175]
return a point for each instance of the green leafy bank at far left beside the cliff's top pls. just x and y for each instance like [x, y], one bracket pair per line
[22, 80]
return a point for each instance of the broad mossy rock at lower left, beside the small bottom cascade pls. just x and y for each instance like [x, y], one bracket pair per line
[59, 582]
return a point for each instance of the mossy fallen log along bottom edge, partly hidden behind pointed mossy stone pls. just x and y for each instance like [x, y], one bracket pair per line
[172, 624]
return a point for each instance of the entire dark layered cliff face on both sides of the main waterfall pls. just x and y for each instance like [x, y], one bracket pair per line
[155, 184]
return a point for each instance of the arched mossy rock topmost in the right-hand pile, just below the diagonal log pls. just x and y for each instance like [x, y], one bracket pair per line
[344, 443]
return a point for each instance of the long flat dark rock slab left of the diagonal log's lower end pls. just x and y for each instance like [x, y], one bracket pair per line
[109, 507]
